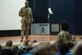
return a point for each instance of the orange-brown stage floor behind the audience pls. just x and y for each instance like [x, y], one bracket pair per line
[16, 39]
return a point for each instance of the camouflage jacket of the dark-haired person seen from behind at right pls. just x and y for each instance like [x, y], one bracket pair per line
[64, 37]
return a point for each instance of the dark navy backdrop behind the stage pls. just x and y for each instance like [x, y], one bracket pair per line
[69, 10]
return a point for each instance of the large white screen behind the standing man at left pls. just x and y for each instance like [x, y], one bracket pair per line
[9, 19]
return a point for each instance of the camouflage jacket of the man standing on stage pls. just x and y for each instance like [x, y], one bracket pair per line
[26, 14]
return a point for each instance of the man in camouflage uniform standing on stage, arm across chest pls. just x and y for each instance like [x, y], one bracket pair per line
[27, 18]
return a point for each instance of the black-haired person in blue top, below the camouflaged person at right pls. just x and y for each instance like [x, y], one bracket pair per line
[64, 50]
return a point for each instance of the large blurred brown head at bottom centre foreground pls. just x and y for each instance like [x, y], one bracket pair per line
[43, 50]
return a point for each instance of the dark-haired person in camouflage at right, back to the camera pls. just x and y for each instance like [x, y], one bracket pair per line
[64, 36]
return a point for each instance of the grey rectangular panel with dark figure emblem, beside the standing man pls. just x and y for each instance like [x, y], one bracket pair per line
[40, 28]
